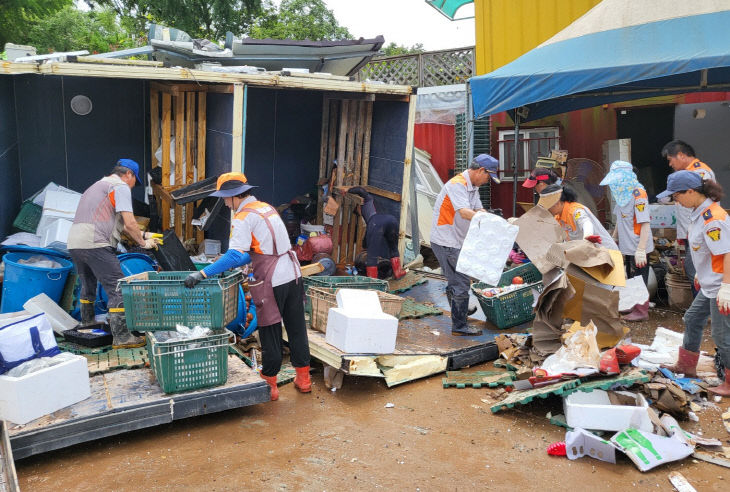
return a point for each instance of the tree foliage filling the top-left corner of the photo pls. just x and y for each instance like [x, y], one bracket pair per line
[17, 16]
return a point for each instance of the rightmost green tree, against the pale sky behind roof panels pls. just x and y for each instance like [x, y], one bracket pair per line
[299, 19]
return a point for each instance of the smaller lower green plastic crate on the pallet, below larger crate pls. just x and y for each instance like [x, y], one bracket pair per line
[184, 365]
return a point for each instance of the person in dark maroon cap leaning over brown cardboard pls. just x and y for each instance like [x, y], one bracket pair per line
[577, 220]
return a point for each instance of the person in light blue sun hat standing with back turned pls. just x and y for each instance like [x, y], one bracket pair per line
[633, 228]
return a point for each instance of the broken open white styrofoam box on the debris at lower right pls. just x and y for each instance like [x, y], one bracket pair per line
[593, 410]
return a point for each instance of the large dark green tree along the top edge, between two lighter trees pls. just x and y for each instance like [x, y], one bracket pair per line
[208, 19]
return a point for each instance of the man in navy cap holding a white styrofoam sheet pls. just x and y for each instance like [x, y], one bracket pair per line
[455, 205]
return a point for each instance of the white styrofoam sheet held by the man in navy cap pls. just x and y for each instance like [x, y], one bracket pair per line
[487, 245]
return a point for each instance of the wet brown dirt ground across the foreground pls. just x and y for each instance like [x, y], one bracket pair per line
[432, 439]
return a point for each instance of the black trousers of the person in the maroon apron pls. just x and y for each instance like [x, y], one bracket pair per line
[289, 298]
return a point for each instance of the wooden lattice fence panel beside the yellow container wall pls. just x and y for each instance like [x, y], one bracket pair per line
[428, 69]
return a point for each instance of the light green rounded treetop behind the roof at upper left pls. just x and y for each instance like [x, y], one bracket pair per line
[97, 31]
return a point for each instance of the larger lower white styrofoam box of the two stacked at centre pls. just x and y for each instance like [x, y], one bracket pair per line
[361, 333]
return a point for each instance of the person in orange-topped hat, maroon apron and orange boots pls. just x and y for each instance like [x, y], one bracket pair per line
[259, 236]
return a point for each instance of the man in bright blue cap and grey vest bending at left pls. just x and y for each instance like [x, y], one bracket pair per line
[104, 211]
